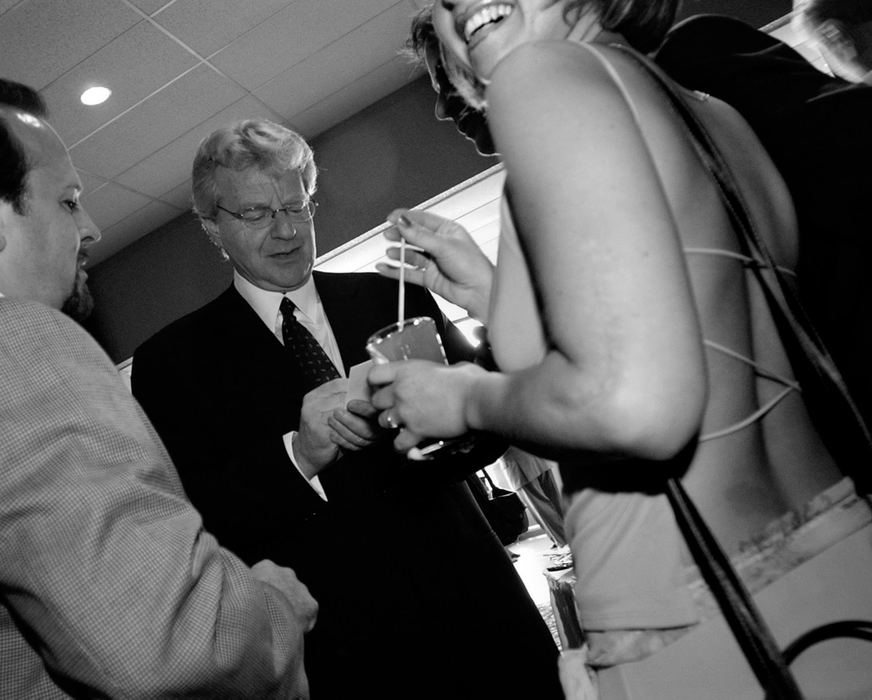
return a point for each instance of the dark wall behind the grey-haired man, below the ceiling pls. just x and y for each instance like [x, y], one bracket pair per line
[394, 153]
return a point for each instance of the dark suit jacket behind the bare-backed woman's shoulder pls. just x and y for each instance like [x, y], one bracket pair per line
[816, 128]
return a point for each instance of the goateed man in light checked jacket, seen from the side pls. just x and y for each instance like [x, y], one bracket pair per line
[110, 586]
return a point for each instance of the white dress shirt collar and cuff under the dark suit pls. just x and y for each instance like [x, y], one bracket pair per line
[310, 313]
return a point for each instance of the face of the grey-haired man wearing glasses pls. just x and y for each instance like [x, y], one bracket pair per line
[278, 257]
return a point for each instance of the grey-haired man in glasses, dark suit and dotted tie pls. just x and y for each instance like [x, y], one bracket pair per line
[417, 596]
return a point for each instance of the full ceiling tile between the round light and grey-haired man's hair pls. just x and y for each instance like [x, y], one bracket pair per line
[163, 117]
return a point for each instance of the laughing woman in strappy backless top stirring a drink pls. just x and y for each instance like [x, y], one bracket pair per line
[630, 344]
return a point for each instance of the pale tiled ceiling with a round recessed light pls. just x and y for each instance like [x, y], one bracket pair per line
[180, 68]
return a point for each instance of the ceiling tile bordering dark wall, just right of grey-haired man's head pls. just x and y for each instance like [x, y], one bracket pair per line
[354, 97]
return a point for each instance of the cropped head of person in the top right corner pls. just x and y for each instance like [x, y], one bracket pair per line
[841, 30]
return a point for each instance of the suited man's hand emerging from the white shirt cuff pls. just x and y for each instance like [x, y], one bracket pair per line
[313, 448]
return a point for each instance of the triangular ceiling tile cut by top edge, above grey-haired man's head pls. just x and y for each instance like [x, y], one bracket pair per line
[209, 25]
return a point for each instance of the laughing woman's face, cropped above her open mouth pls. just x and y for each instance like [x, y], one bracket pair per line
[480, 33]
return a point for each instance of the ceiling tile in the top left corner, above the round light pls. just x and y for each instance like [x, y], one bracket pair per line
[68, 32]
